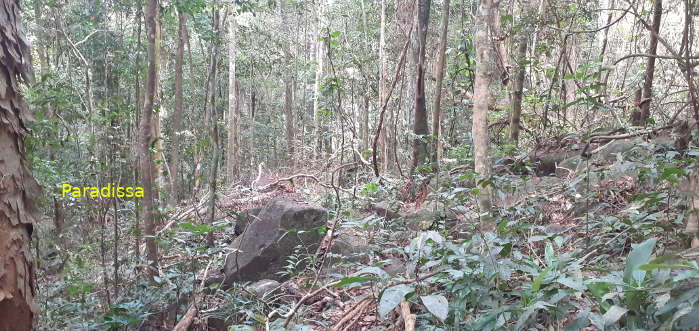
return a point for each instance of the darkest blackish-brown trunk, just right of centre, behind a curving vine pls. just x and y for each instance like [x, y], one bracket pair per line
[420, 127]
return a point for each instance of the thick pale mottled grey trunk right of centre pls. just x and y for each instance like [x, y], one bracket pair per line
[482, 96]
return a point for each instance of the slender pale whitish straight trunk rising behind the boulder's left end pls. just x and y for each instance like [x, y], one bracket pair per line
[233, 112]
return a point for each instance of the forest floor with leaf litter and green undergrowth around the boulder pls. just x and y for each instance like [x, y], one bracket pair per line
[598, 244]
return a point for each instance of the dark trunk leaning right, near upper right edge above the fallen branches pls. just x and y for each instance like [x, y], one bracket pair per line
[641, 115]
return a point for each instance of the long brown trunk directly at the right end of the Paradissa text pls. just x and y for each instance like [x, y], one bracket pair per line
[145, 161]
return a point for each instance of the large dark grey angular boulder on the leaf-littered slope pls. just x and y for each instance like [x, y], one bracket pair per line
[263, 248]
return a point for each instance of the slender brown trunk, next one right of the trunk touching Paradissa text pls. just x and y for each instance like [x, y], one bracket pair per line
[175, 181]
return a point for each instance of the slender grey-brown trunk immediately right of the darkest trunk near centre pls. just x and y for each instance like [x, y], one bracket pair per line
[437, 110]
